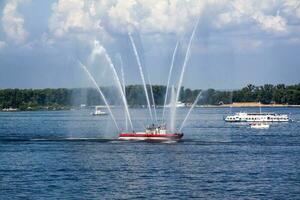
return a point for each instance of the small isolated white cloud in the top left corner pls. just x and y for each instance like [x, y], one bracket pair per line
[13, 21]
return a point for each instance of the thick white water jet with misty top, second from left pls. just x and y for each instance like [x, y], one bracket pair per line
[116, 77]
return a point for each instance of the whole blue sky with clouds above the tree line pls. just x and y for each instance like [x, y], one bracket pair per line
[236, 42]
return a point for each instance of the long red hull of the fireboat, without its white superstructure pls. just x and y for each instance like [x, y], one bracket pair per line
[147, 136]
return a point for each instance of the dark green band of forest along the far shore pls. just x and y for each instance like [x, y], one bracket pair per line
[62, 98]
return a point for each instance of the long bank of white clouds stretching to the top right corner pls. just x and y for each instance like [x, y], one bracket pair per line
[105, 19]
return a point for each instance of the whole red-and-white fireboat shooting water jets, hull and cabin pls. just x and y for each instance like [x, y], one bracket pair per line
[158, 133]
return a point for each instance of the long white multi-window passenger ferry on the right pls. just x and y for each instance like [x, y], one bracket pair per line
[257, 117]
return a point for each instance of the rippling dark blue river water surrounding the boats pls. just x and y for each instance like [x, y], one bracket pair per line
[70, 155]
